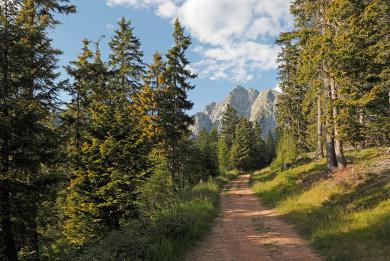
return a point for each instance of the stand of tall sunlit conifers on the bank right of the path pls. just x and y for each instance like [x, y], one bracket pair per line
[331, 72]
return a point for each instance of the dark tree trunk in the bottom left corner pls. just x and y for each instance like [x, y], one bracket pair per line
[6, 224]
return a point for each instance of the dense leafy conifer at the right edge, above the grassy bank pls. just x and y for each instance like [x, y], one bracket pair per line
[359, 82]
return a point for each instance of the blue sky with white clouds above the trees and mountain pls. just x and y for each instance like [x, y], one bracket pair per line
[233, 40]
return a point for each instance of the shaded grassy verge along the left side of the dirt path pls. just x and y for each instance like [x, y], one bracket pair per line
[168, 233]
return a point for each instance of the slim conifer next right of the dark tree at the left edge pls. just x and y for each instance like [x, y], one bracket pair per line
[79, 223]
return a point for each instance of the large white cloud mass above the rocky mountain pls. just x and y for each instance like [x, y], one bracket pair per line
[235, 34]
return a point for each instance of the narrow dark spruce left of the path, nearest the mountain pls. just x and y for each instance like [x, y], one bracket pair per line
[175, 121]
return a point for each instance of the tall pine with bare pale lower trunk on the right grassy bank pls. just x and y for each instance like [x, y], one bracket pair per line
[317, 42]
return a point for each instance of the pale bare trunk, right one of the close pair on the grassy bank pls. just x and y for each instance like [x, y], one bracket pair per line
[341, 162]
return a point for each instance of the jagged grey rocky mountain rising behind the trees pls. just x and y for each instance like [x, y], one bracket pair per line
[249, 103]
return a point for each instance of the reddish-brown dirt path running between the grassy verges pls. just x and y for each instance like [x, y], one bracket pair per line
[245, 230]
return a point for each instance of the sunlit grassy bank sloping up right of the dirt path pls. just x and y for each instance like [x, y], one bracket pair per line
[345, 215]
